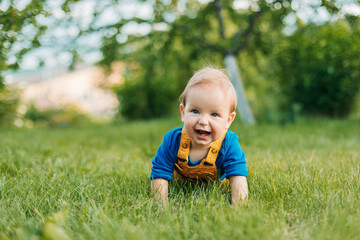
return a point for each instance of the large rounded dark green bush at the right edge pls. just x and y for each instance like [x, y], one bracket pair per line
[319, 69]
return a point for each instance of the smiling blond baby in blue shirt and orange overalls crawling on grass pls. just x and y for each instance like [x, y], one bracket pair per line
[203, 149]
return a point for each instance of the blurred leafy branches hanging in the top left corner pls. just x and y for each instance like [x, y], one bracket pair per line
[21, 27]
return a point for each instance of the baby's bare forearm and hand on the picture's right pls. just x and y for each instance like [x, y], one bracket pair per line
[239, 189]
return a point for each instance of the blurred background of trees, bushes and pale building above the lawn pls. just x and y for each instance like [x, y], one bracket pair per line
[80, 61]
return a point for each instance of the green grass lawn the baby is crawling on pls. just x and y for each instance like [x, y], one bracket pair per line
[91, 182]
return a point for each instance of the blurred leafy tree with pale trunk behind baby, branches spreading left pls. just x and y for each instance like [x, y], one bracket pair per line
[174, 40]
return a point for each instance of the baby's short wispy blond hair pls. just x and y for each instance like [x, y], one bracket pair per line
[209, 75]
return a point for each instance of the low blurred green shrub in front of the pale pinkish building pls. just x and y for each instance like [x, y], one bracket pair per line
[63, 117]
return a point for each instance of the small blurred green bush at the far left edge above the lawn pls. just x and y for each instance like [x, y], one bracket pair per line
[9, 100]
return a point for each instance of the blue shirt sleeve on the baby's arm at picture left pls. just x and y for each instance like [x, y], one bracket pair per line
[163, 162]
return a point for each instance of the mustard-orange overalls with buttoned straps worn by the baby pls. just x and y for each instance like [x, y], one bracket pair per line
[206, 170]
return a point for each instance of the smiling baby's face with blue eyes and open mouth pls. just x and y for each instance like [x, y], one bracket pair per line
[206, 115]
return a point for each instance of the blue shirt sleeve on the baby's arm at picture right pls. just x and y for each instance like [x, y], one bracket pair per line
[234, 162]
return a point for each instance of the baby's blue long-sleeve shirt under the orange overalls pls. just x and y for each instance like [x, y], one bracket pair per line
[229, 162]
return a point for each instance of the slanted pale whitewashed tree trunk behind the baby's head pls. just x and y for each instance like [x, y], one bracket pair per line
[242, 104]
